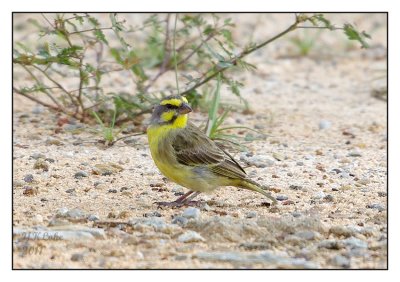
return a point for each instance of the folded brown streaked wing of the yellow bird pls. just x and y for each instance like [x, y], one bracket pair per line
[193, 148]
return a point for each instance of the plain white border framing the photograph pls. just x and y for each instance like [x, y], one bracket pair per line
[204, 5]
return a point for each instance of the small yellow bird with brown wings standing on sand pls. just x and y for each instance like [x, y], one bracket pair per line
[187, 156]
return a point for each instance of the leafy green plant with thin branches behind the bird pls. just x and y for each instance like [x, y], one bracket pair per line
[198, 48]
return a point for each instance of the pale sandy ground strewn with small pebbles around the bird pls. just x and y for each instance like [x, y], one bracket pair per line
[325, 160]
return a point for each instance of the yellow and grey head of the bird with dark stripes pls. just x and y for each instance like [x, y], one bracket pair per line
[172, 110]
